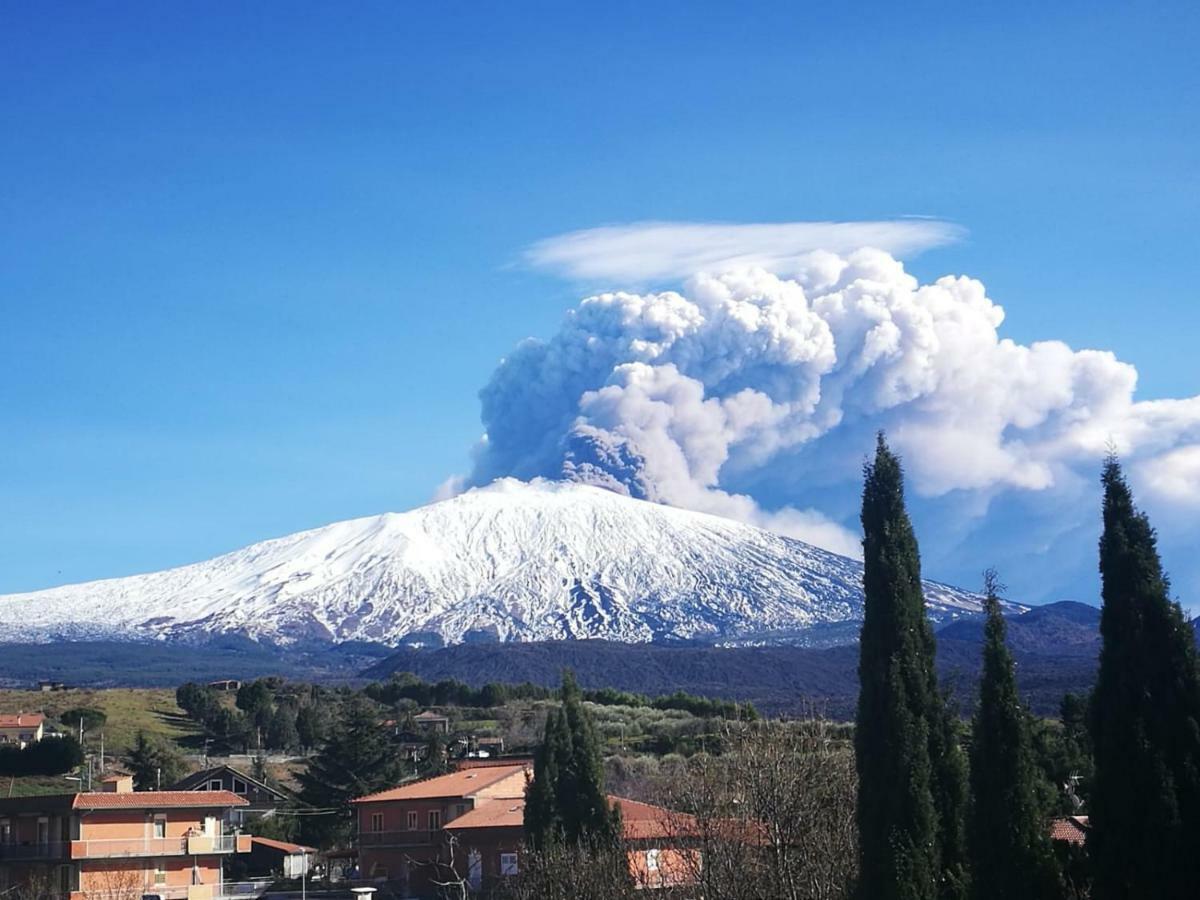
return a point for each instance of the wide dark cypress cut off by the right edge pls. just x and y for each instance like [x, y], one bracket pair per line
[1145, 718]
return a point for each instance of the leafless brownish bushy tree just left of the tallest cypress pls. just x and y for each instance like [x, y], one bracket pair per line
[775, 815]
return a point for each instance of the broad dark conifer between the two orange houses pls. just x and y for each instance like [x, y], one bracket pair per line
[358, 759]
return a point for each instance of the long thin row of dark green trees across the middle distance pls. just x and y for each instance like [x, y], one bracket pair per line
[453, 693]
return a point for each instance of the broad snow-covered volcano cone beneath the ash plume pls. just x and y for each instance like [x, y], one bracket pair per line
[515, 561]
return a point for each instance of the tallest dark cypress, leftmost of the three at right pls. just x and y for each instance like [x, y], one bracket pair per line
[911, 771]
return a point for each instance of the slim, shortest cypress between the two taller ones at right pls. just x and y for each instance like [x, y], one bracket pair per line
[1011, 854]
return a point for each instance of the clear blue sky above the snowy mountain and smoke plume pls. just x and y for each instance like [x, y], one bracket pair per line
[257, 263]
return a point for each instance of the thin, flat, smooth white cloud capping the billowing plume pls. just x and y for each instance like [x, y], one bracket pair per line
[659, 251]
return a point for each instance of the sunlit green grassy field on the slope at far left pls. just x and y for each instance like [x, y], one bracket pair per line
[129, 711]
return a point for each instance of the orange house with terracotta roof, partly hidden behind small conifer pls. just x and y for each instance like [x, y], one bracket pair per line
[471, 825]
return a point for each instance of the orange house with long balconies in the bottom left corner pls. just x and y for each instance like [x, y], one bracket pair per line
[118, 843]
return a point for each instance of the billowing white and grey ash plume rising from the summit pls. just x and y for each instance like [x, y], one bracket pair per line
[754, 397]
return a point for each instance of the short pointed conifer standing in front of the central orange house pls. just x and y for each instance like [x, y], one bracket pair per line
[566, 801]
